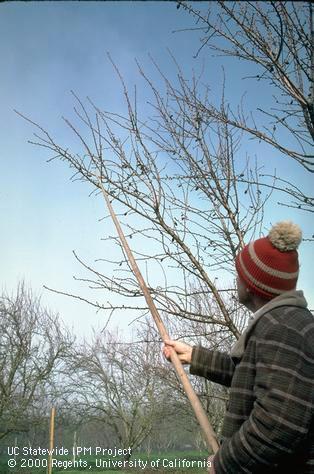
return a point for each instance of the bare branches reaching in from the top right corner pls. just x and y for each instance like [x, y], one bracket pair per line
[277, 39]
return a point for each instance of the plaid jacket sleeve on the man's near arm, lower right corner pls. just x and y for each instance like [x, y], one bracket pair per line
[283, 408]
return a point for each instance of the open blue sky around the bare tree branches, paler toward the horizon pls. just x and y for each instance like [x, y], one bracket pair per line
[47, 49]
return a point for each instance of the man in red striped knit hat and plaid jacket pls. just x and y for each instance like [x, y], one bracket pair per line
[269, 425]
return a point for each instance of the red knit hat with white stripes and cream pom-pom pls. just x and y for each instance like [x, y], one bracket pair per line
[270, 266]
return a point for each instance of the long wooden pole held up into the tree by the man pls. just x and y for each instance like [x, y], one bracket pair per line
[200, 414]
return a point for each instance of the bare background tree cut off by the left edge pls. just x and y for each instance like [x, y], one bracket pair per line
[32, 345]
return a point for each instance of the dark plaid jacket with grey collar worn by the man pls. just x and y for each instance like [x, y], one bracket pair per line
[269, 423]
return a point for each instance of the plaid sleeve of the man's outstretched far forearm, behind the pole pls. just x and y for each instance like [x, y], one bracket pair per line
[213, 365]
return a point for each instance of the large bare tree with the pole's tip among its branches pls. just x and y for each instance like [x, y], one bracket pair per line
[179, 174]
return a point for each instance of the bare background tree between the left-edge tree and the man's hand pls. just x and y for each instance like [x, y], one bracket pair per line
[113, 383]
